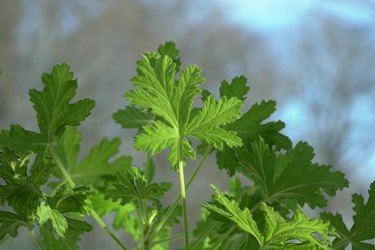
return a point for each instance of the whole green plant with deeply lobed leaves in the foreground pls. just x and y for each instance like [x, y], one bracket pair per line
[48, 189]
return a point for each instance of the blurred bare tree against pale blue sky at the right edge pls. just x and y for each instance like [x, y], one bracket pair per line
[337, 74]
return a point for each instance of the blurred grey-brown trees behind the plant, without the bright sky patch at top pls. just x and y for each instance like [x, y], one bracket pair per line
[332, 65]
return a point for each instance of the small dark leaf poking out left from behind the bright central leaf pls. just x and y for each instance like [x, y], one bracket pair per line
[132, 117]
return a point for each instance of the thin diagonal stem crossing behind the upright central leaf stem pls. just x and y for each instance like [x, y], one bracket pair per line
[178, 198]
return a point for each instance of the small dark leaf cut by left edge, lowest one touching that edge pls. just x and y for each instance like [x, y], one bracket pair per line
[9, 224]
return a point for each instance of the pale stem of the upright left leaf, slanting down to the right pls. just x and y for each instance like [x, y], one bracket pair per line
[92, 212]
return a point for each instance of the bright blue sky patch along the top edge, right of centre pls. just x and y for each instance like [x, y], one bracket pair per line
[275, 15]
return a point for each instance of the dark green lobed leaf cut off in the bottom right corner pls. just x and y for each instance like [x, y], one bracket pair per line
[363, 228]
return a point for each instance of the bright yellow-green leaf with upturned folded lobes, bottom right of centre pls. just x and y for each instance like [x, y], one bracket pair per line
[278, 232]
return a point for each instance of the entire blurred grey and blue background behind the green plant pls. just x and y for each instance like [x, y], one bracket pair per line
[316, 58]
